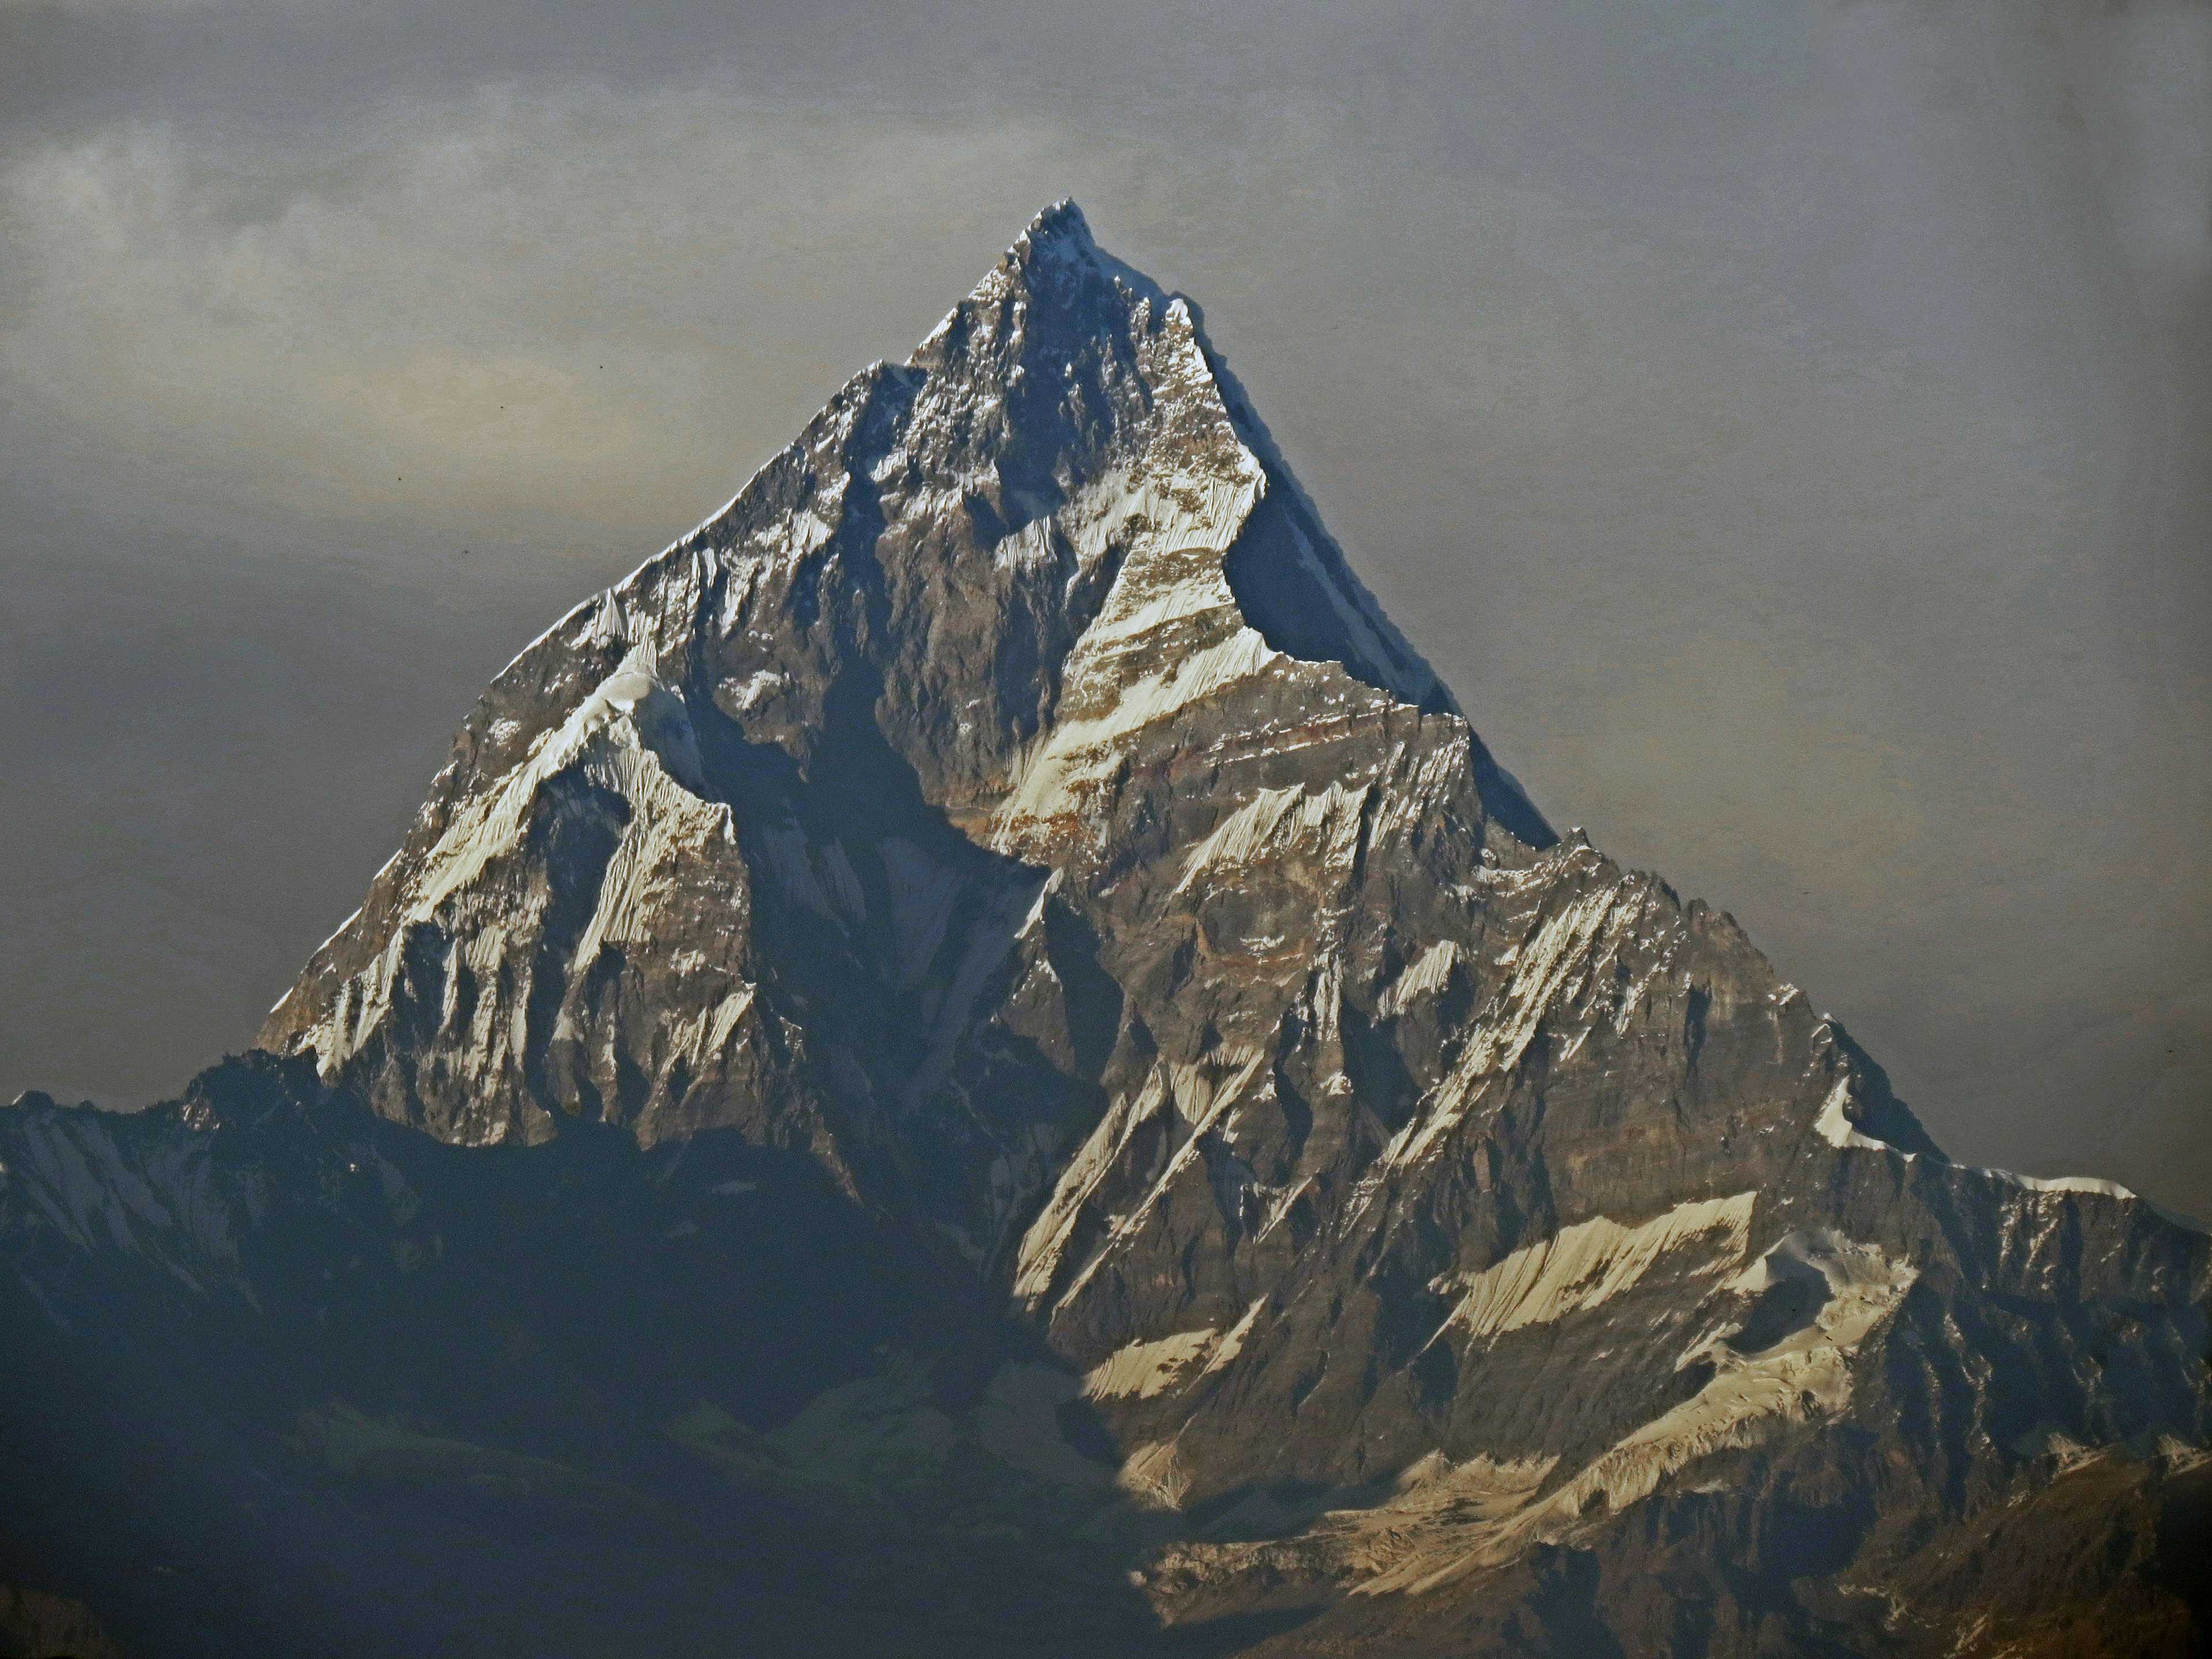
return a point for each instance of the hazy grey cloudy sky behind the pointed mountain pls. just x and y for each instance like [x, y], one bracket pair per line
[1788, 426]
